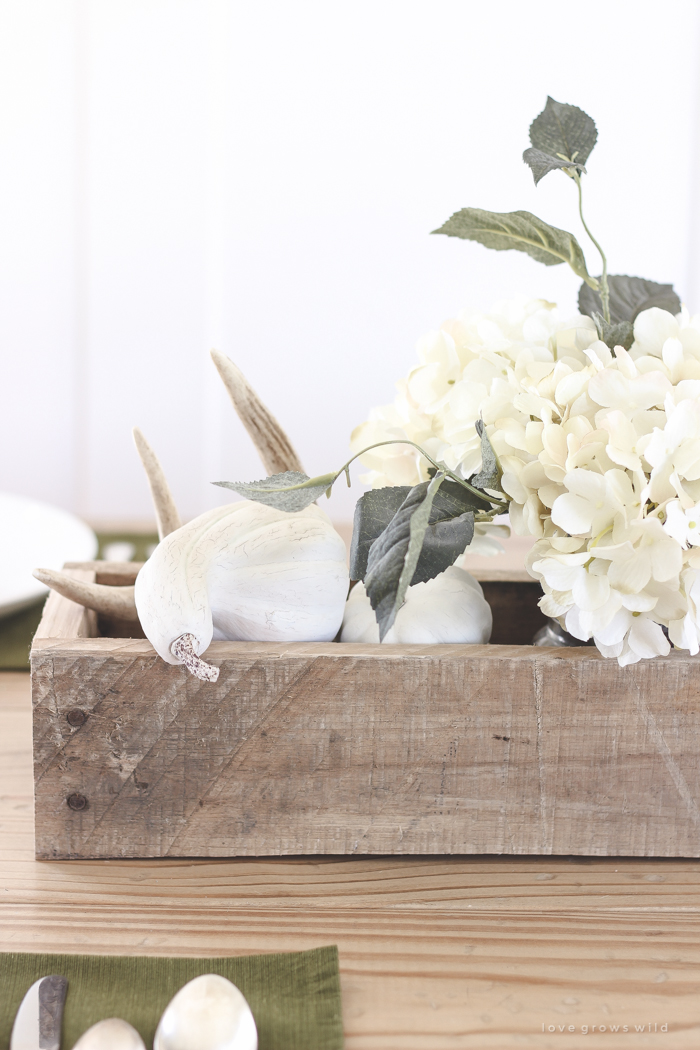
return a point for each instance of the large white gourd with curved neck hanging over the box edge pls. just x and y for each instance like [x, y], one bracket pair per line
[245, 572]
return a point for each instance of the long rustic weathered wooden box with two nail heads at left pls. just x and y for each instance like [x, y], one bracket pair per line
[357, 749]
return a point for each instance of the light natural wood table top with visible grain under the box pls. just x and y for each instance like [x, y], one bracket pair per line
[435, 954]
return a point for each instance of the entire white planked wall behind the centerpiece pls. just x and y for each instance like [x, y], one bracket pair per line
[263, 178]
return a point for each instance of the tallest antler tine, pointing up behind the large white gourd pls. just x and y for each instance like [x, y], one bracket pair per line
[273, 446]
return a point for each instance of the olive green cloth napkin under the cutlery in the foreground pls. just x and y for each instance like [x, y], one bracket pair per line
[295, 998]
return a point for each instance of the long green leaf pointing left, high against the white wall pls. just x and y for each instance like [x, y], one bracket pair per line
[522, 232]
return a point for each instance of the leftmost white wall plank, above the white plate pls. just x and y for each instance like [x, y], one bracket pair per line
[37, 249]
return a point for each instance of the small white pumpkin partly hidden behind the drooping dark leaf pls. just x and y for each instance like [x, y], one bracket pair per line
[451, 608]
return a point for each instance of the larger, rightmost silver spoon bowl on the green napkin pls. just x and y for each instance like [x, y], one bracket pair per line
[208, 1014]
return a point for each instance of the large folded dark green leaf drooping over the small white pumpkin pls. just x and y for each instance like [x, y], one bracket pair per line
[446, 528]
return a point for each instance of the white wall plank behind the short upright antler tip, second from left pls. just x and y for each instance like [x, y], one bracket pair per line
[147, 244]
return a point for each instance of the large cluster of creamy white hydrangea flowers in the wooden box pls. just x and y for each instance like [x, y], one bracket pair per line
[601, 453]
